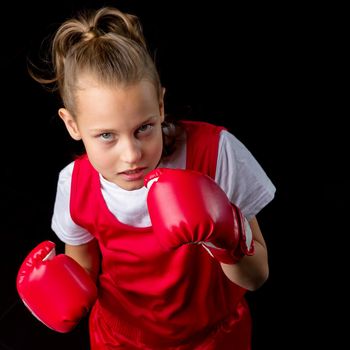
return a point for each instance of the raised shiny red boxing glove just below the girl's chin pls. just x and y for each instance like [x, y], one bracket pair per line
[186, 206]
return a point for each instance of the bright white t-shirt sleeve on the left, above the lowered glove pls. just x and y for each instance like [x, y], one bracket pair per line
[62, 224]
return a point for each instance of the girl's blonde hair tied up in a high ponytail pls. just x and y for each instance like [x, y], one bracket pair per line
[106, 43]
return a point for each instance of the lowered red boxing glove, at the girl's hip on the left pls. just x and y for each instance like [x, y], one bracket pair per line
[56, 289]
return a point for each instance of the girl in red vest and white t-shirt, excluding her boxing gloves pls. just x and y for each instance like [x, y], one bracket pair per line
[148, 297]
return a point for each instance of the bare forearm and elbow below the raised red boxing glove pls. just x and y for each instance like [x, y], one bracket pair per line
[251, 271]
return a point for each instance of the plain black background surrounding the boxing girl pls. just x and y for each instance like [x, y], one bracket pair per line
[273, 75]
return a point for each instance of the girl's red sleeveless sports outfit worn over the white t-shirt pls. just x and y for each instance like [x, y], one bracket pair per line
[157, 299]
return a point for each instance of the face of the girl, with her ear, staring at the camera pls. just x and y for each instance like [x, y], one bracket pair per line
[120, 128]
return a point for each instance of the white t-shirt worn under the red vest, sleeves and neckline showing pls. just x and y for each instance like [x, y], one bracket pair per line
[238, 174]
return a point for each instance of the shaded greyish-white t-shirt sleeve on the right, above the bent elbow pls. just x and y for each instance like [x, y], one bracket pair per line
[242, 178]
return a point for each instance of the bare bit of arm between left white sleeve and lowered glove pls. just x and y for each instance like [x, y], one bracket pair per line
[87, 255]
